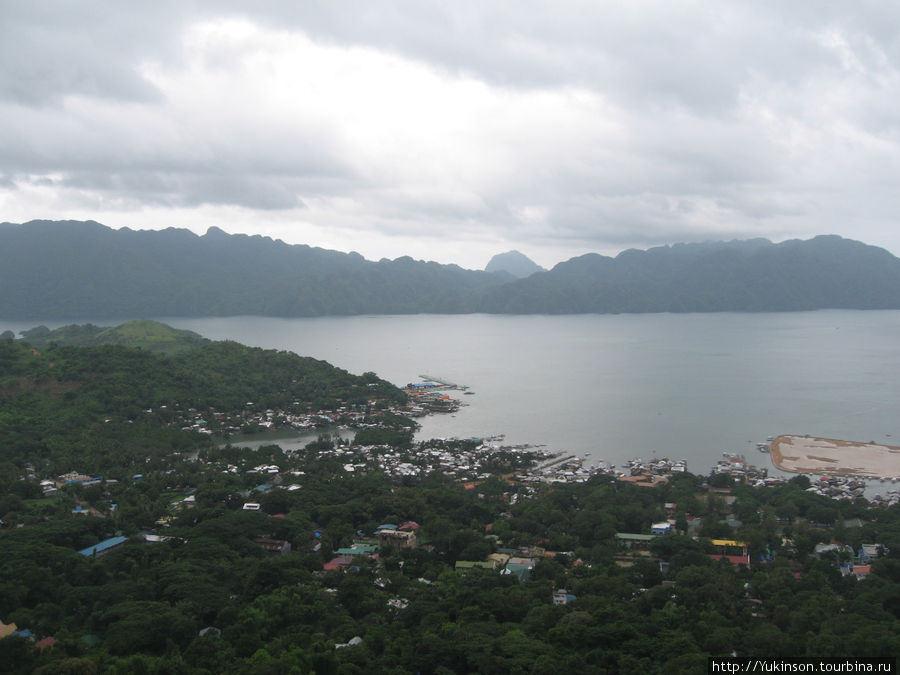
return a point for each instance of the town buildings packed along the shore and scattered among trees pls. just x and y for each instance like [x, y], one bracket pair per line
[468, 462]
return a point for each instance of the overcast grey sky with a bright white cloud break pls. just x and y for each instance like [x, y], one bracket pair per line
[452, 131]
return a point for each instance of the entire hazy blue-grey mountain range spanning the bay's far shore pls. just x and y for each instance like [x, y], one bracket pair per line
[76, 269]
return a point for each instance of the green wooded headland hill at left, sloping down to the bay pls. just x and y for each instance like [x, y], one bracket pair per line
[63, 399]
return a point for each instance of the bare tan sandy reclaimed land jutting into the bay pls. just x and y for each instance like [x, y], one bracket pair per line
[827, 456]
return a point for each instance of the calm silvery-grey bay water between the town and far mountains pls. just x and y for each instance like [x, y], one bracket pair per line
[617, 387]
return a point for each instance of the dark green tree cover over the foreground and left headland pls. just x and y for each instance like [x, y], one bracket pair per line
[149, 607]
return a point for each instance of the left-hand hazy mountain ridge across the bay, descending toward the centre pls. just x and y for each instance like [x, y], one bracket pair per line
[70, 269]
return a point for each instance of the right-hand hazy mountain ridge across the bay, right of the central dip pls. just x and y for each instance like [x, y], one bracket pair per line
[742, 276]
